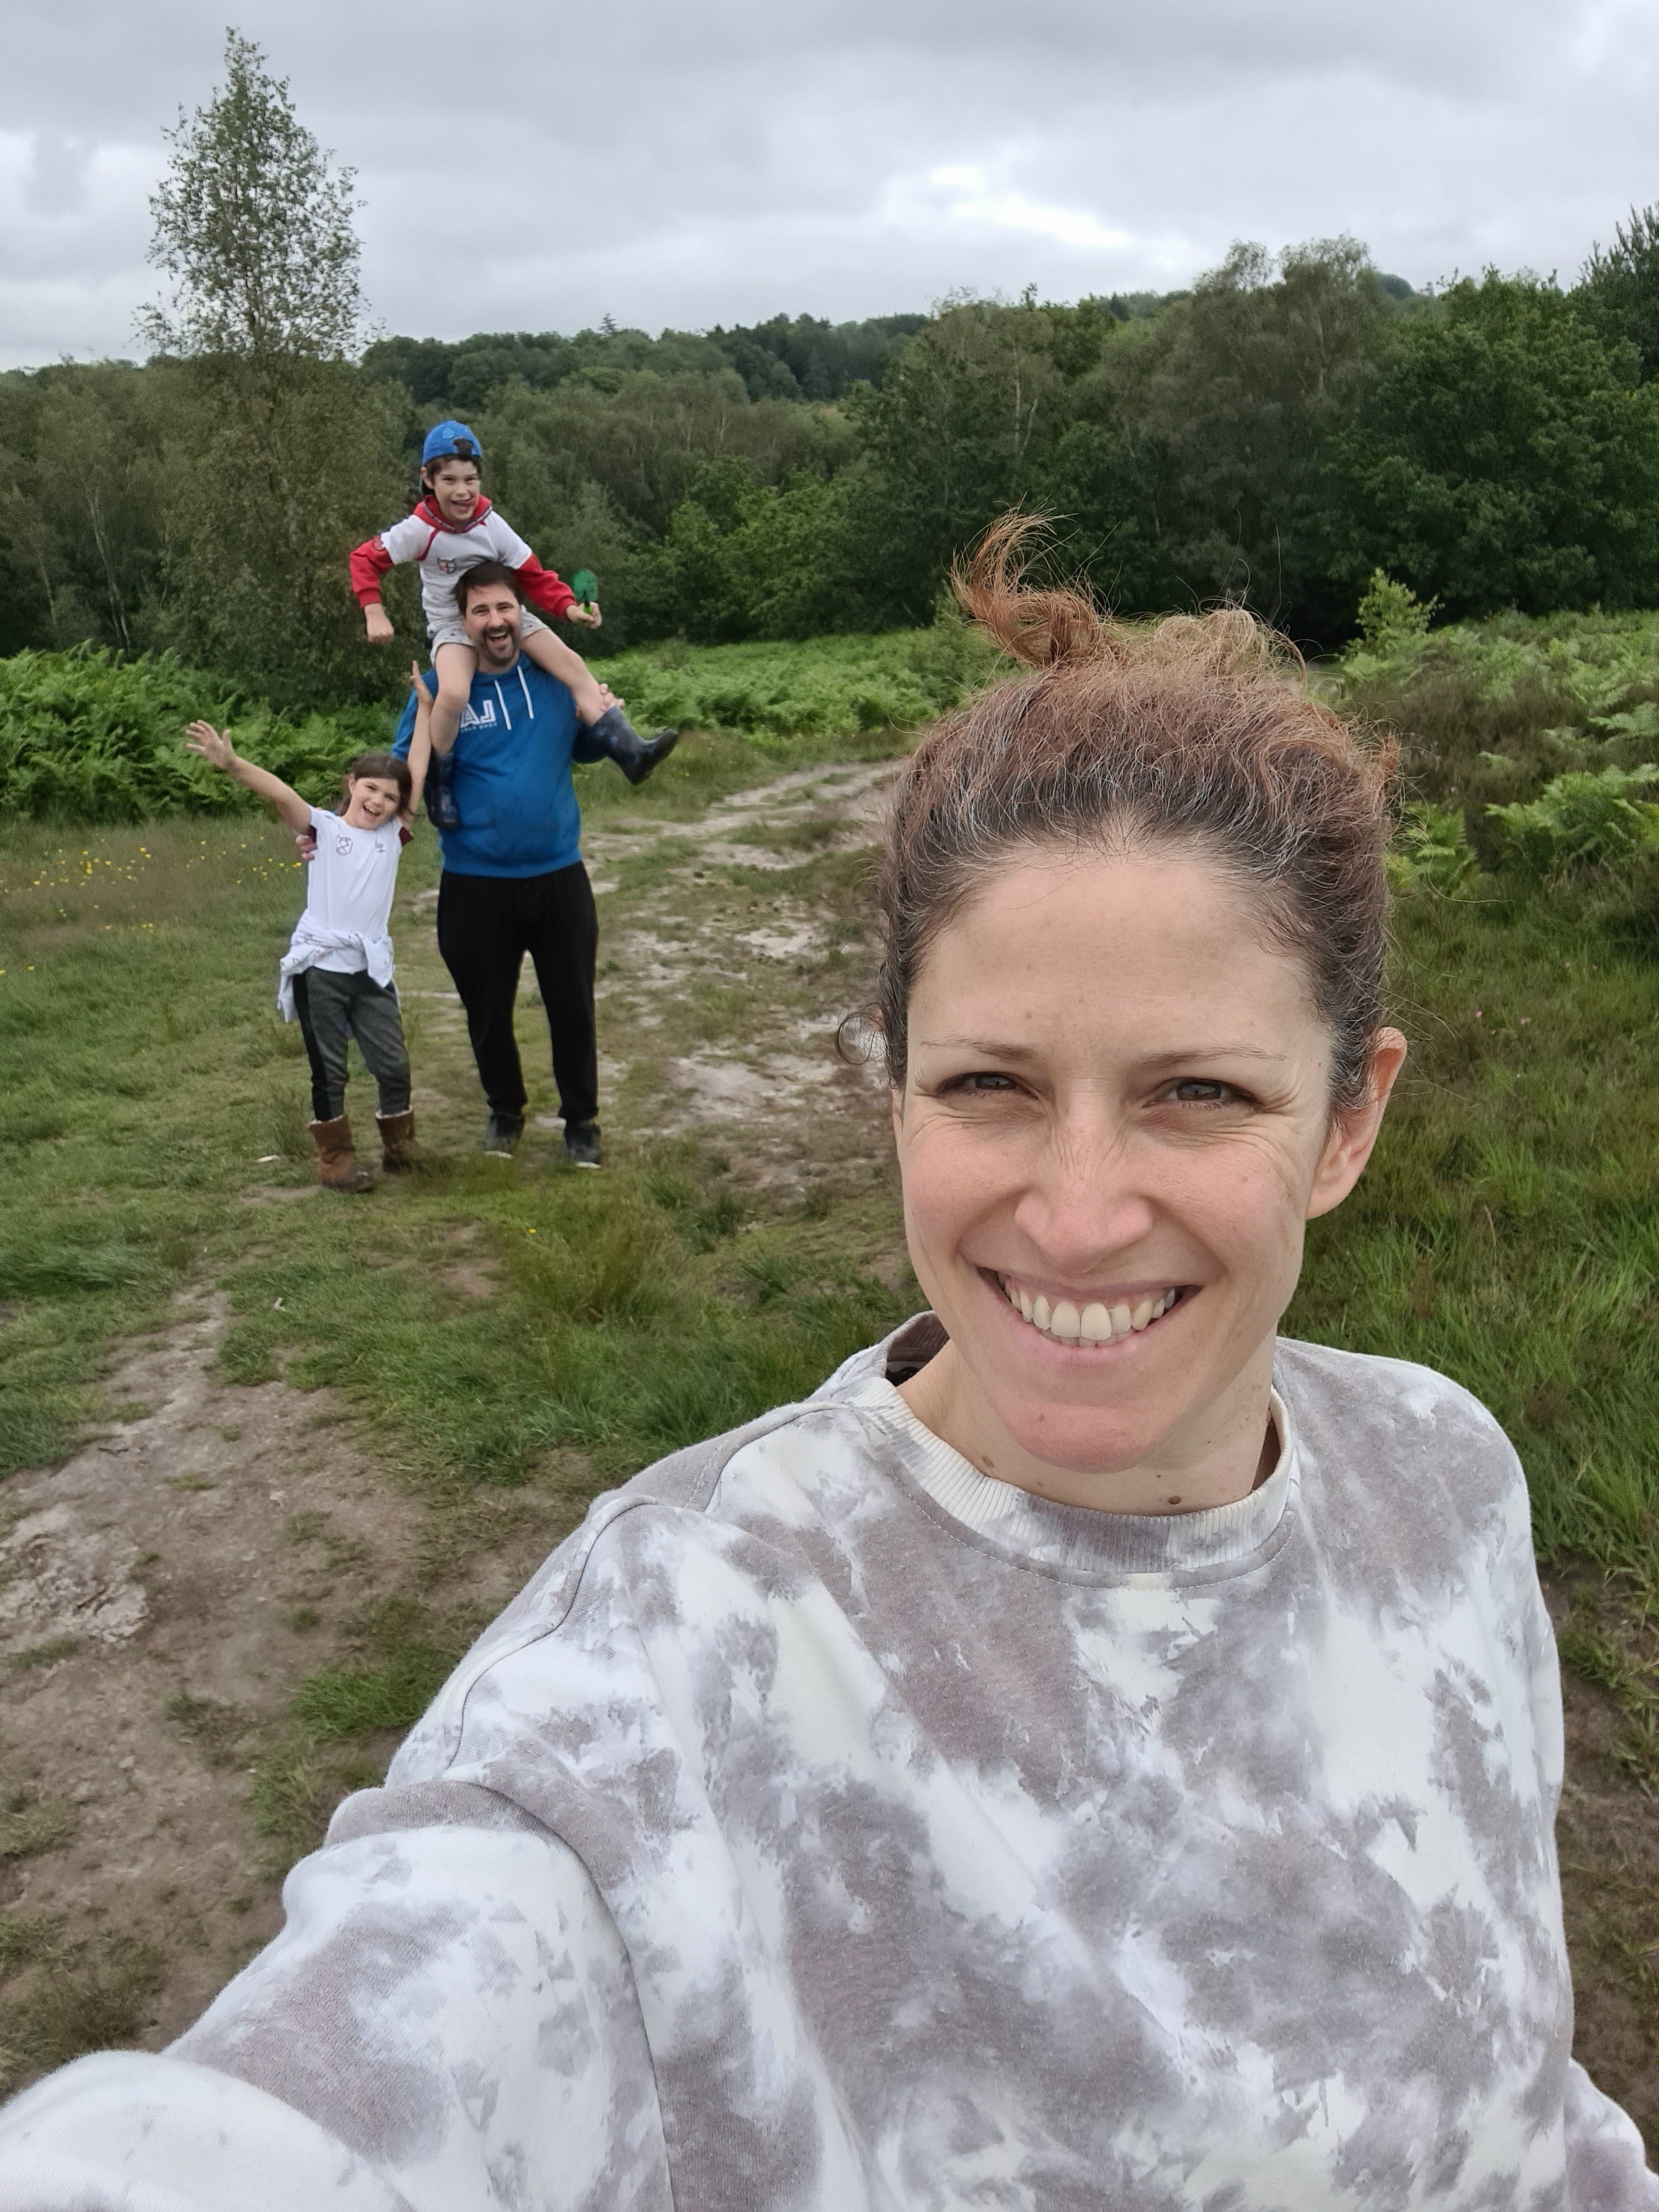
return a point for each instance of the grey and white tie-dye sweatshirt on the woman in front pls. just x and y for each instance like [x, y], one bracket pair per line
[831, 1826]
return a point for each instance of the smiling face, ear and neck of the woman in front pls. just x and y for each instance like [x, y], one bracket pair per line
[1114, 1127]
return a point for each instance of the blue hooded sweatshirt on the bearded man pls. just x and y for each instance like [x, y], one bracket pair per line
[512, 775]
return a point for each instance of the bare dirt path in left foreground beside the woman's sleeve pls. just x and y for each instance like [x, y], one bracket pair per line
[158, 1598]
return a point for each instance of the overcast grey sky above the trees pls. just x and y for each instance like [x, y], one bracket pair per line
[667, 163]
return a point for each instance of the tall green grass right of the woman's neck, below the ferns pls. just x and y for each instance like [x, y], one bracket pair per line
[1507, 1229]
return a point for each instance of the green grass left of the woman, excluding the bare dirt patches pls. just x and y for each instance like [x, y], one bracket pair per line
[154, 1087]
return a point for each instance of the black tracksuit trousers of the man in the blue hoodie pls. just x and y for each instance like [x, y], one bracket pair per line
[486, 928]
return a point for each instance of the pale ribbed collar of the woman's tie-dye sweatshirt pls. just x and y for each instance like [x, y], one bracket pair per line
[1072, 1538]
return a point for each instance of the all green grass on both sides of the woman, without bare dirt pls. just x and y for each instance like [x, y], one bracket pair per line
[156, 1118]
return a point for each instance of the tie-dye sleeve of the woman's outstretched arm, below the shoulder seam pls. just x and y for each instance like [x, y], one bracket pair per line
[448, 2005]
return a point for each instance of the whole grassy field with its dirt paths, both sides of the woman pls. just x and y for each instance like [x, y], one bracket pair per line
[468, 1357]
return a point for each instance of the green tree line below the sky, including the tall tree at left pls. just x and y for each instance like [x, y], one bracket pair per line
[1275, 435]
